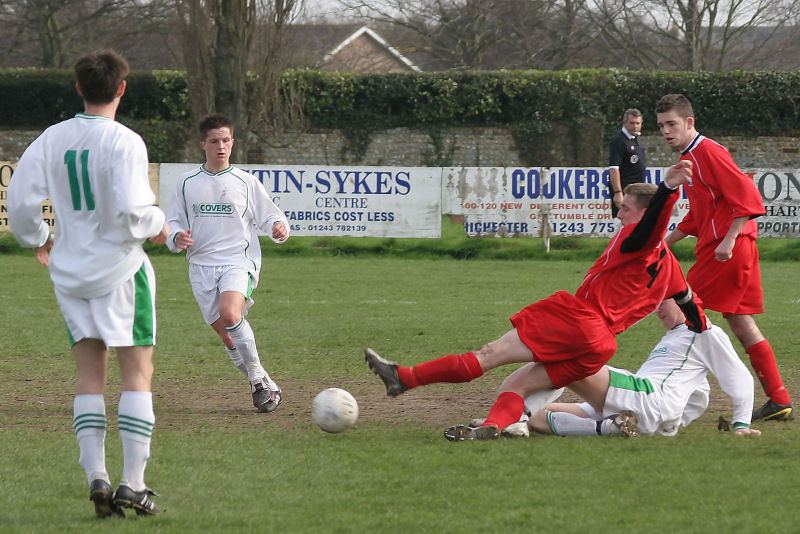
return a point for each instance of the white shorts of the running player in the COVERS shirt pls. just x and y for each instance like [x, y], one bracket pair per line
[208, 281]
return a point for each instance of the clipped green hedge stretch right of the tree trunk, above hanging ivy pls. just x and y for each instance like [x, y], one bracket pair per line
[750, 103]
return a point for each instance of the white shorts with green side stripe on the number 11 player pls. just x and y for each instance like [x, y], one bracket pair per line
[126, 317]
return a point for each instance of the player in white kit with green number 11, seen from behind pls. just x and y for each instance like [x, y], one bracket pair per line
[94, 170]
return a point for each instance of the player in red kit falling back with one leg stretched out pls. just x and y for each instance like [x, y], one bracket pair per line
[571, 336]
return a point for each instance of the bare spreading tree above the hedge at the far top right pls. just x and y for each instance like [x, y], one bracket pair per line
[687, 34]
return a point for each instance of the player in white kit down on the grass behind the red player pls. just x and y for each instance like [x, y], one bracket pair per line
[669, 391]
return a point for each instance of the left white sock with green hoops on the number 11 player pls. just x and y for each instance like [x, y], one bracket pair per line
[89, 422]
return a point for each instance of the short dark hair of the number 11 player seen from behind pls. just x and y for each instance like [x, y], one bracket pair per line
[99, 74]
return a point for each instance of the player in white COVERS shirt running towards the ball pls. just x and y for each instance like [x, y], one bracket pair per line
[215, 215]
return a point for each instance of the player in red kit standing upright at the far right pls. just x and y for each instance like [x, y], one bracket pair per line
[723, 201]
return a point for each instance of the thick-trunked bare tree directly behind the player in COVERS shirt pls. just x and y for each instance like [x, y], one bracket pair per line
[234, 56]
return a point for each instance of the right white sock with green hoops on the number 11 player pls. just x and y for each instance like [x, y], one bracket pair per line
[136, 420]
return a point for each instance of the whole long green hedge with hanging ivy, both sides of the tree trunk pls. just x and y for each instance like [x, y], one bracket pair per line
[532, 104]
